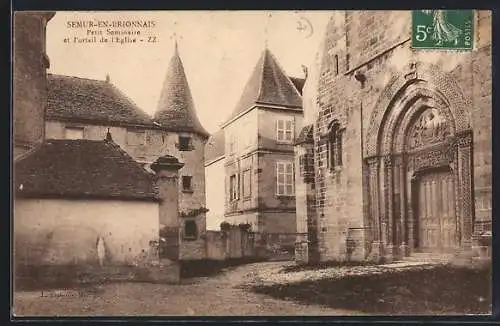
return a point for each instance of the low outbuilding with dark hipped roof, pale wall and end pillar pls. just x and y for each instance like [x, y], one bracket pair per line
[73, 196]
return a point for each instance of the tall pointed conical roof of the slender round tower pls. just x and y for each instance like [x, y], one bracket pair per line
[175, 110]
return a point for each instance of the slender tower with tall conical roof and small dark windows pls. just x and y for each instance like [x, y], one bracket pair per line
[176, 114]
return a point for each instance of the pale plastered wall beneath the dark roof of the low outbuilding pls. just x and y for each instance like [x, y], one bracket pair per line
[61, 232]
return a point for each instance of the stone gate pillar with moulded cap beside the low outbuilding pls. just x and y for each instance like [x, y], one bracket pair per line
[167, 181]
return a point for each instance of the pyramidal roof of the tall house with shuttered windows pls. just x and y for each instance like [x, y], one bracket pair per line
[268, 84]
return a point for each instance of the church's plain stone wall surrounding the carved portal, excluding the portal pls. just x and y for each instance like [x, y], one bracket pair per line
[377, 44]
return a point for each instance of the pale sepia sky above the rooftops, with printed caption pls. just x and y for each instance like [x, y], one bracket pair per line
[219, 50]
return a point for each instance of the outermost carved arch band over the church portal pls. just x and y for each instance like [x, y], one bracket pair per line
[431, 75]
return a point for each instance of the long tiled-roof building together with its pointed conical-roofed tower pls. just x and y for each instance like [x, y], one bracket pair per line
[81, 108]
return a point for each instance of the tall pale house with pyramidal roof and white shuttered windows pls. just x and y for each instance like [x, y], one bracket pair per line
[253, 154]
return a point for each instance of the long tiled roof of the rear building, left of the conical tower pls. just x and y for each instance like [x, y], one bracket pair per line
[91, 100]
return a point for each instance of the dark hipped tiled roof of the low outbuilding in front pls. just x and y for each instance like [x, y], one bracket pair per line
[82, 168]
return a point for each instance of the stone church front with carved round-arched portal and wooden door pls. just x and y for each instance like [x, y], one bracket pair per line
[395, 160]
